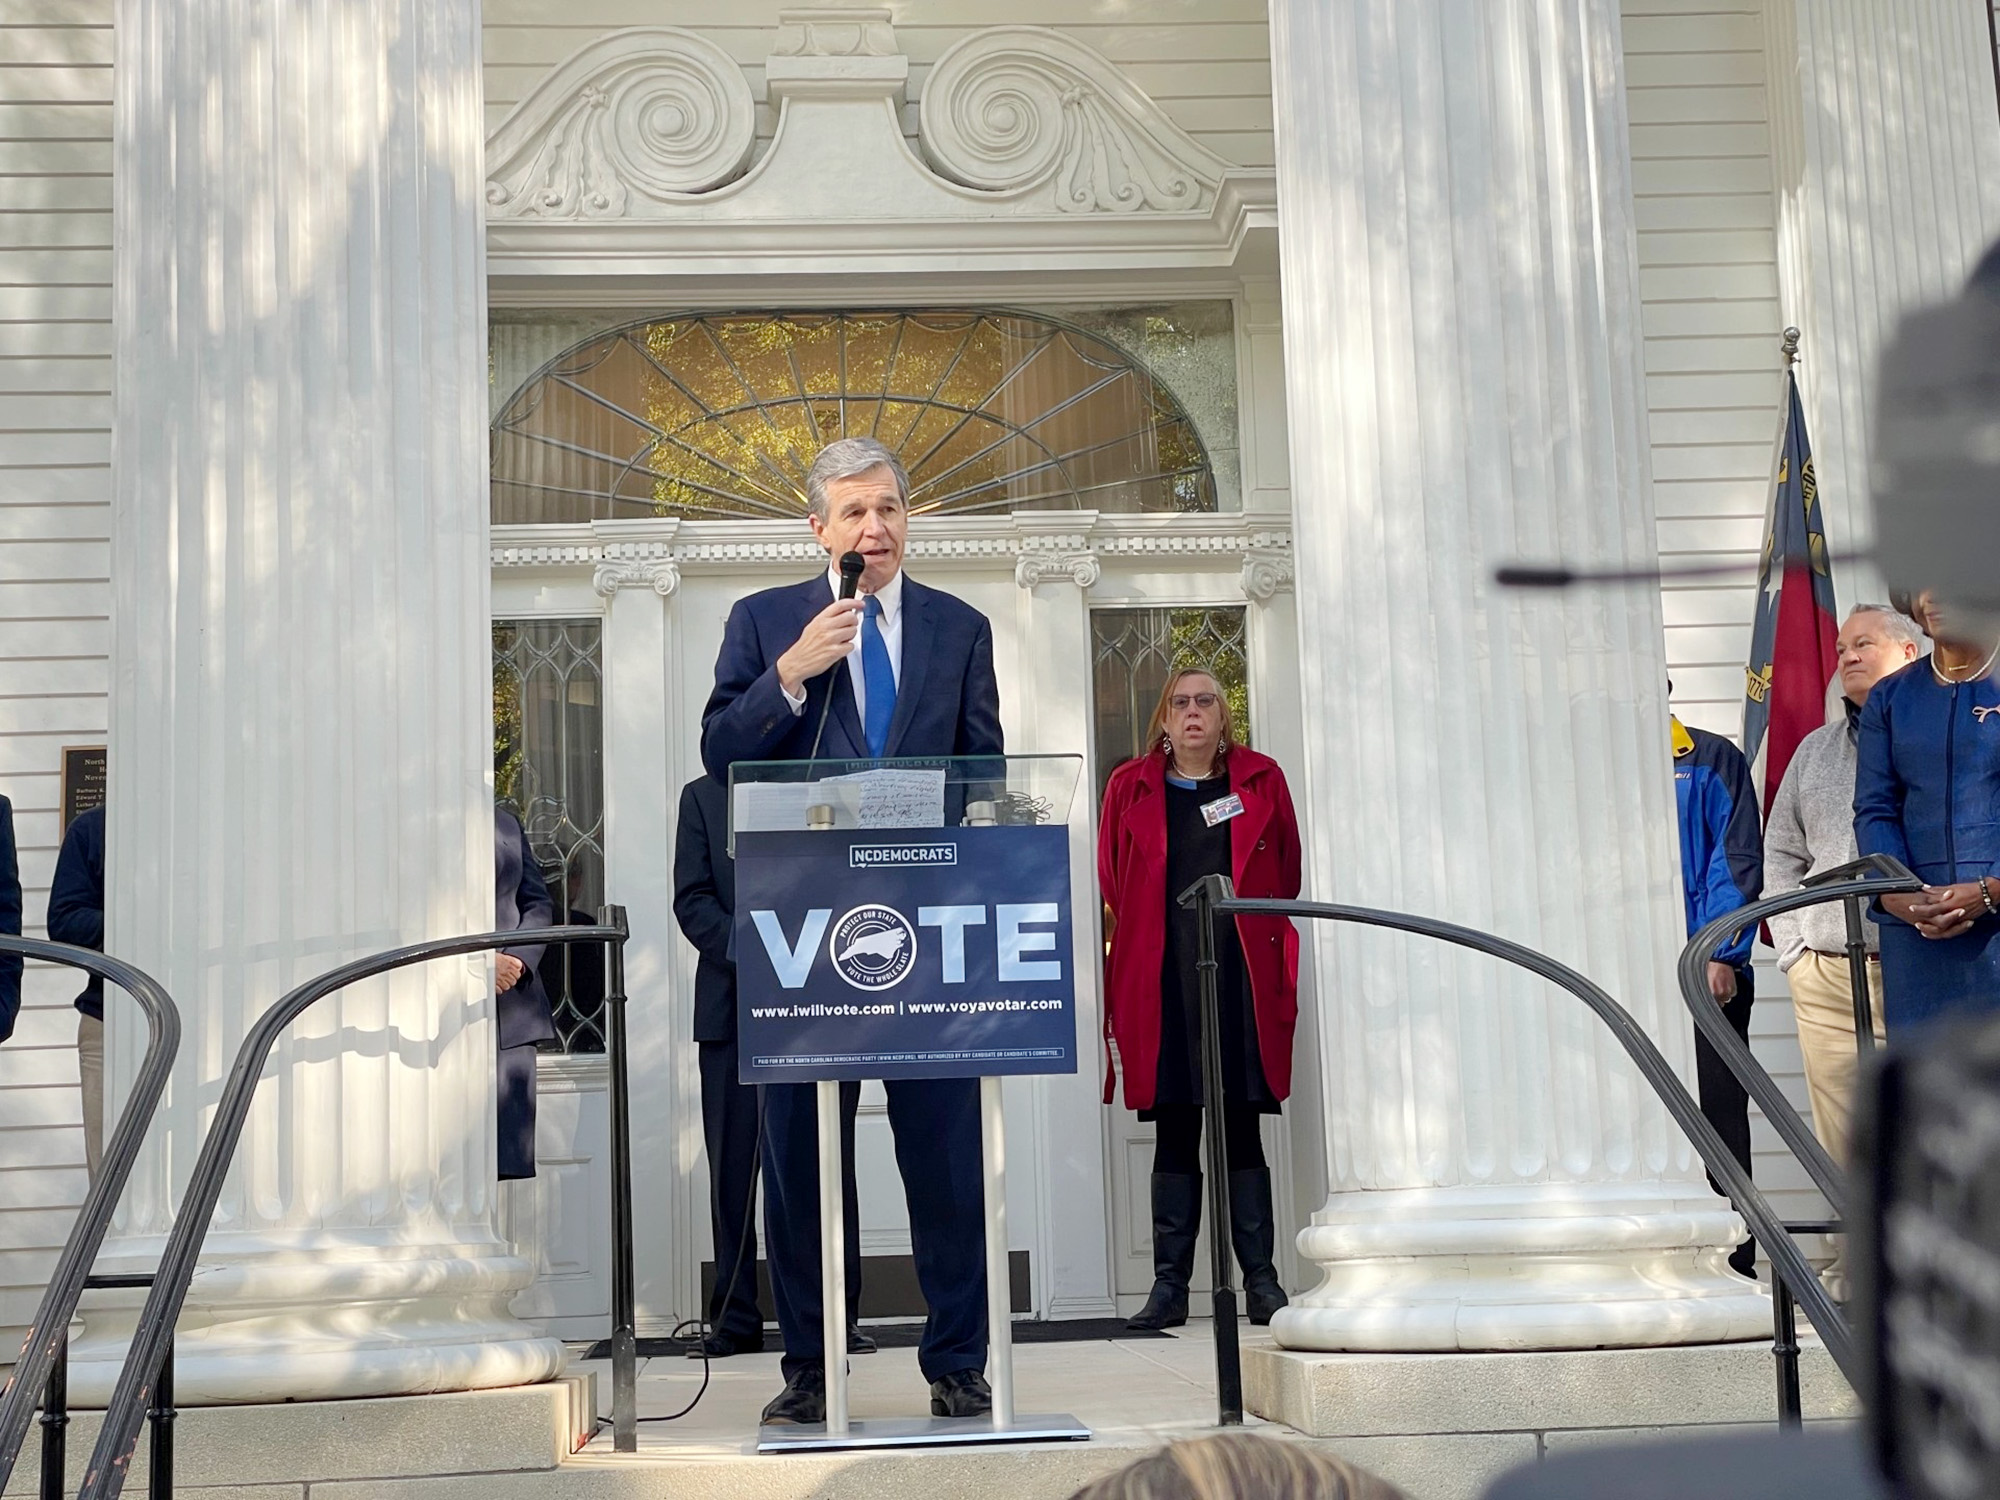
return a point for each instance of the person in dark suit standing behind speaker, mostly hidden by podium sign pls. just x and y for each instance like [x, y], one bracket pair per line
[705, 905]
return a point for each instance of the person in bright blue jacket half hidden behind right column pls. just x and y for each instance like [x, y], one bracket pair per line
[1721, 871]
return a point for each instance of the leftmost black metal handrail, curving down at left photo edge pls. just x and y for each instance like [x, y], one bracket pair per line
[39, 1353]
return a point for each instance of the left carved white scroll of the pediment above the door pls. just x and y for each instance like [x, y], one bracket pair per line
[629, 125]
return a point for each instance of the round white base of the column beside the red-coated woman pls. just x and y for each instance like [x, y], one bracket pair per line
[1553, 1267]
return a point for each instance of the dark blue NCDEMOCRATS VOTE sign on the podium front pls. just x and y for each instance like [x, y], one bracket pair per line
[941, 953]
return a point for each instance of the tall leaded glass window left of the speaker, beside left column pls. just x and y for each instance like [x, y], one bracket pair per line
[549, 771]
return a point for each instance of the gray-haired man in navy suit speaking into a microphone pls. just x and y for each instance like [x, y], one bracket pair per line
[911, 673]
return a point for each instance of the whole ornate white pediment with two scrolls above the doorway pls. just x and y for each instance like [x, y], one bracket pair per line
[635, 157]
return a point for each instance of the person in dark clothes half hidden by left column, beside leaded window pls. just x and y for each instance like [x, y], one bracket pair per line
[521, 901]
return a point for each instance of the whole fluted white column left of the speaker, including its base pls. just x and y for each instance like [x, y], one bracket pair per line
[303, 707]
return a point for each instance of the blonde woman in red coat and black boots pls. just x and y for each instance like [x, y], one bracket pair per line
[1193, 805]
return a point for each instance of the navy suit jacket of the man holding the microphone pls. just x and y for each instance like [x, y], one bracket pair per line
[947, 699]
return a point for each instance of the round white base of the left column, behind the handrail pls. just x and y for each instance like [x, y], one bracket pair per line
[323, 1319]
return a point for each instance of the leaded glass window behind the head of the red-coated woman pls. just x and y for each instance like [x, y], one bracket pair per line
[1135, 653]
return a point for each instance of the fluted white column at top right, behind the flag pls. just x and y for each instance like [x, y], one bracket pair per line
[1887, 157]
